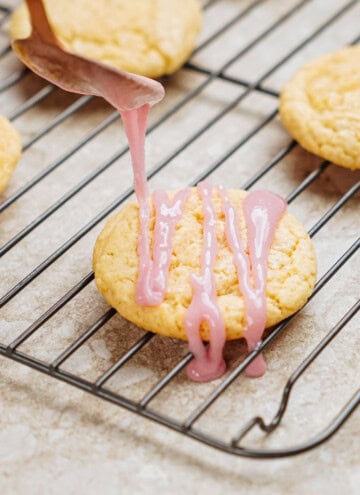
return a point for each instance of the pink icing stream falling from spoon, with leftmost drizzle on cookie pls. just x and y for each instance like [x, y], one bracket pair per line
[153, 269]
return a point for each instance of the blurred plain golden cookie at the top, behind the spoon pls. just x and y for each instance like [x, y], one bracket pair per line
[147, 37]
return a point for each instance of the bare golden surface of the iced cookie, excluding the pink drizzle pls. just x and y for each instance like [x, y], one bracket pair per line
[290, 281]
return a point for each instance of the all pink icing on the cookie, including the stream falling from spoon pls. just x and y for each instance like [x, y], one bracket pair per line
[262, 211]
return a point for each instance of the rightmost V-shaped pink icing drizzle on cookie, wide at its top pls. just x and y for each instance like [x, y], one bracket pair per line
[262, 212]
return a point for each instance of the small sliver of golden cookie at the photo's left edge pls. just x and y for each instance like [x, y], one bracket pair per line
[10, 151]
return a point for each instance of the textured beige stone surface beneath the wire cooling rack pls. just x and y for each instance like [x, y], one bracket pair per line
[55, 439]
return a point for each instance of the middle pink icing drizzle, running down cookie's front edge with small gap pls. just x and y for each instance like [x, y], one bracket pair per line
[208, 362]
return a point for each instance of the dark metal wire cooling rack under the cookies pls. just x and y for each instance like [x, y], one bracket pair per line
[98, 387]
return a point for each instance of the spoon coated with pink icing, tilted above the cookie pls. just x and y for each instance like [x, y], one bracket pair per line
[45, 56]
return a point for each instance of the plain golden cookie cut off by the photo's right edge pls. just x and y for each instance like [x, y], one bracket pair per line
[320, 107]
